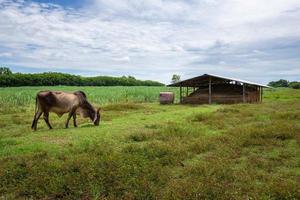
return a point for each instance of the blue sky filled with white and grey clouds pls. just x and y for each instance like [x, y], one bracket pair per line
[257, 40]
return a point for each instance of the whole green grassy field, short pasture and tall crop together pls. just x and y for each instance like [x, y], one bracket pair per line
[143, 150]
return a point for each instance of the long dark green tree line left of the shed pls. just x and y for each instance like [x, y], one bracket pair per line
[10, 79]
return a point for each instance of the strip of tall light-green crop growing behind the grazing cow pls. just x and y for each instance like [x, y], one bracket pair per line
[22, 96]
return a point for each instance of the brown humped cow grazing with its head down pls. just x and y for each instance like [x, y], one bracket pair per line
[61, 103]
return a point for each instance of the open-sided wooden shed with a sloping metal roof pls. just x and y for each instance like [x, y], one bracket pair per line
[209, 88]
